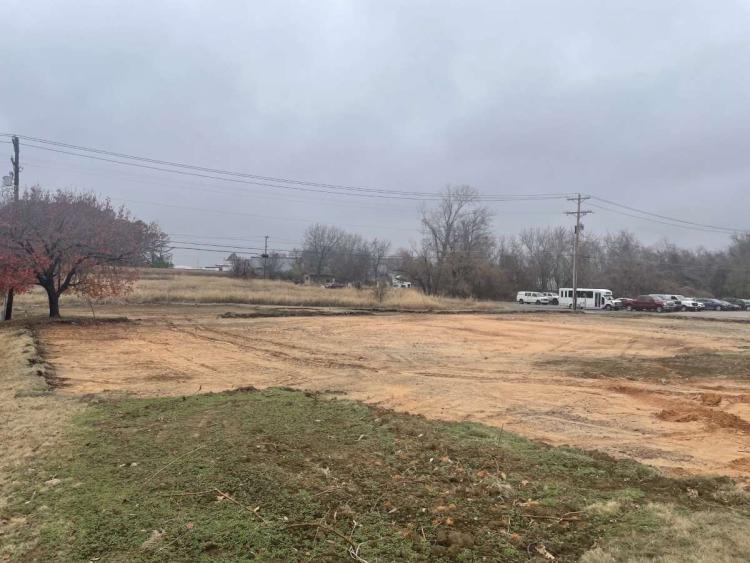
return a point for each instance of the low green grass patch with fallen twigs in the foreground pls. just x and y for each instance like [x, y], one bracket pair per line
[283, 475]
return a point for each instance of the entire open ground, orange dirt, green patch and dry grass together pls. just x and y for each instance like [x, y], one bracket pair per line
[129, 458]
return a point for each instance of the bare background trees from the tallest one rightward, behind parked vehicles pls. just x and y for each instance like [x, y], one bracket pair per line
[458, 255]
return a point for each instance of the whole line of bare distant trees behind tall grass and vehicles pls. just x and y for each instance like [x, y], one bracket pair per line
[458, 254]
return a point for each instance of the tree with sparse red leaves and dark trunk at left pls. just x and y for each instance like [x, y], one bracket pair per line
[73, 241]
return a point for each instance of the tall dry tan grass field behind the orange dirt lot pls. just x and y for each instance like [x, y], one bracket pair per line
[174, 286]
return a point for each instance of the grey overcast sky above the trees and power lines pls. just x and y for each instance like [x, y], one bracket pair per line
[645, 103]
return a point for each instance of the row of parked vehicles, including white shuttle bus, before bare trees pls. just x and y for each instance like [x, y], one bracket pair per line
[602, 299]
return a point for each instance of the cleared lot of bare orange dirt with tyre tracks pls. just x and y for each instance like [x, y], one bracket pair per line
[669, 392]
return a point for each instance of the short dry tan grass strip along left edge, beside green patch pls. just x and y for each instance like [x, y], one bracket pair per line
[31, 421]
